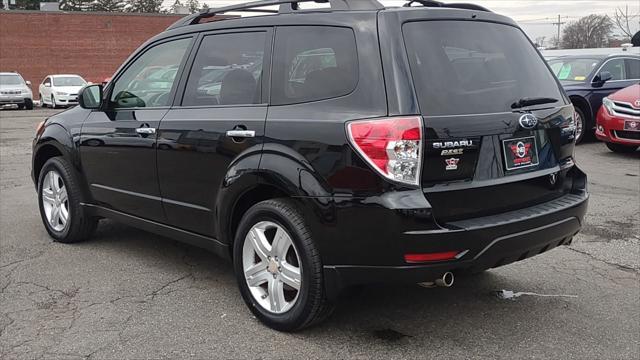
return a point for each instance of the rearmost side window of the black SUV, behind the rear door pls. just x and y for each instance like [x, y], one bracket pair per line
[313, 63]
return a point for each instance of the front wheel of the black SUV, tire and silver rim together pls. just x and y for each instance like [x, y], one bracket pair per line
[59, 199]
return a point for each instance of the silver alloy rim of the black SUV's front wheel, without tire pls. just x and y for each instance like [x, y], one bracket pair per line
[55, 201]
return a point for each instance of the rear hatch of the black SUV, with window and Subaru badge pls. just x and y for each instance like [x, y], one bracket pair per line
[498, 129]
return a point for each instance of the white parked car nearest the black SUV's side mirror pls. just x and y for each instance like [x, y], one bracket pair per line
[60, 90]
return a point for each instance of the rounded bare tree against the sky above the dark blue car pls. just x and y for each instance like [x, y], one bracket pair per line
[591, 31]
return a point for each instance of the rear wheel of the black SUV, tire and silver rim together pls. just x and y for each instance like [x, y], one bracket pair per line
[278, 267]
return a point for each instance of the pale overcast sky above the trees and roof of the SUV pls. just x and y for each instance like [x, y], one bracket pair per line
[535, 16]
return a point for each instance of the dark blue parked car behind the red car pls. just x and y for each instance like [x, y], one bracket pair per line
[588, 79]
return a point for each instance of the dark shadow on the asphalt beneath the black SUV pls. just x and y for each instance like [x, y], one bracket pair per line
[388, 313]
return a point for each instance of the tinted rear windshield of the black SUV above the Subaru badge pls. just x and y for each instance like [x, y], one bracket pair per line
[464, 67]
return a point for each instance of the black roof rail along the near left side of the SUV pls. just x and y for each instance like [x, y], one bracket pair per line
[286, 6]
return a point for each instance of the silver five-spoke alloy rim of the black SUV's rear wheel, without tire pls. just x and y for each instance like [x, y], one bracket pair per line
[272, 267]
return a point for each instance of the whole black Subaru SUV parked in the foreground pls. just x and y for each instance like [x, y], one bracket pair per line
[320, 148]
